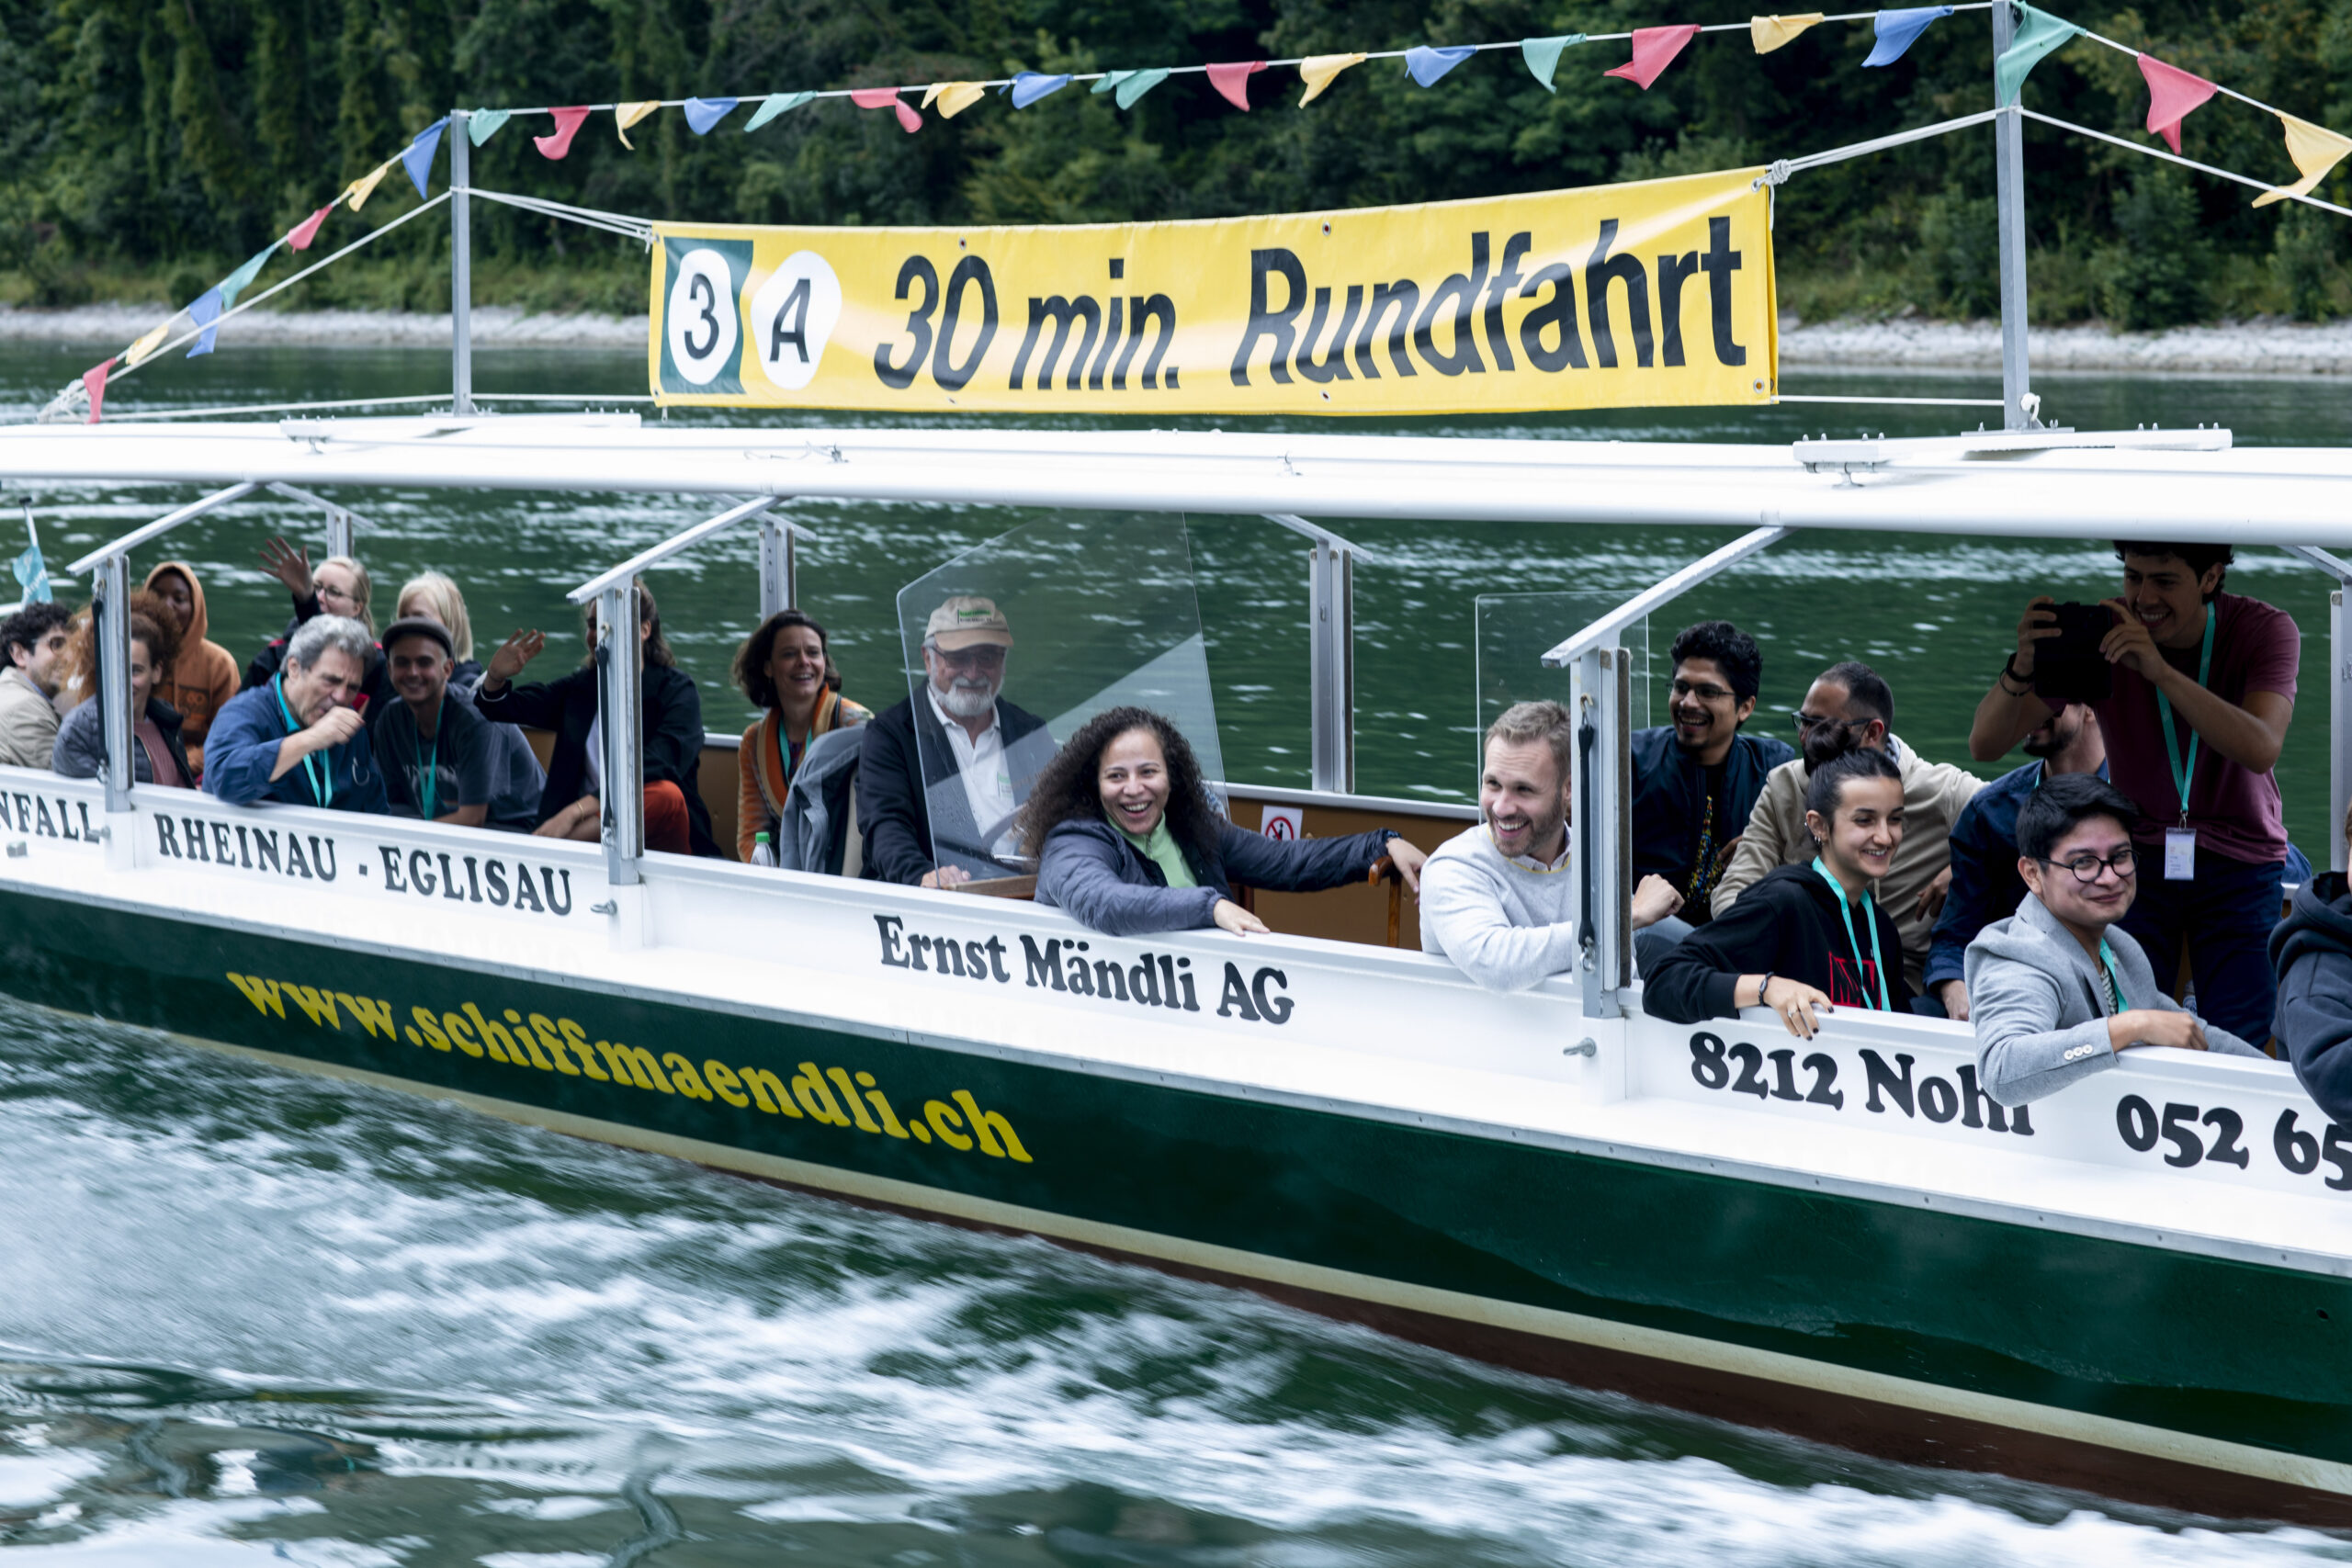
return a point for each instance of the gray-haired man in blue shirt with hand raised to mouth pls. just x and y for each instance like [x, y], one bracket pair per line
[298, 737]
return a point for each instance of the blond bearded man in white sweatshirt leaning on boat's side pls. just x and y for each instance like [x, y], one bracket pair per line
[1499, 899]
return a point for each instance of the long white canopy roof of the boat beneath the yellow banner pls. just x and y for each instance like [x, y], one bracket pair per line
[2189, 485]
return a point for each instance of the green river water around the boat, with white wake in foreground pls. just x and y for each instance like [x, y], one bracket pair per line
[250, 1320]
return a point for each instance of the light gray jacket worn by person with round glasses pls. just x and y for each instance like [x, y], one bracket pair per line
[2040, 1005]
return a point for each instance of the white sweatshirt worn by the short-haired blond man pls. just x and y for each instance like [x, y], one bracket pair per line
[1502, 923]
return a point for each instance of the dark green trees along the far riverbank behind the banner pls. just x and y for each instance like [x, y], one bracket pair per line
[147, 147]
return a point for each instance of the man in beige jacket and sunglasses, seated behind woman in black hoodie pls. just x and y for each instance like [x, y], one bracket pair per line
[1852, 709]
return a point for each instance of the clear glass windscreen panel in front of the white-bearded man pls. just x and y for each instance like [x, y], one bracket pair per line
[1017, 643]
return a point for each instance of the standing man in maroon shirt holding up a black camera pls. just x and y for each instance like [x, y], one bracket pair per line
[2205, 685]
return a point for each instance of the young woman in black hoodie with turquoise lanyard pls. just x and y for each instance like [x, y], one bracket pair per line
[1805, 937]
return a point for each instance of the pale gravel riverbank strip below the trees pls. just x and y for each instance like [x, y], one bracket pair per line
[2236, 349]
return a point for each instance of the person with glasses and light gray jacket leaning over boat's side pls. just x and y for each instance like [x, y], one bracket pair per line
[2059, 989]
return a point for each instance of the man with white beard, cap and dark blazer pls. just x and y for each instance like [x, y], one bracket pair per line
[942, 775]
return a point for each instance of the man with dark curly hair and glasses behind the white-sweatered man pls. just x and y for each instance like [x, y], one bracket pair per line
[1695, 782]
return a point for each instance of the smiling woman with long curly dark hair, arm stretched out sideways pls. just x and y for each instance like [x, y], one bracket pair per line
[1128, 840]
